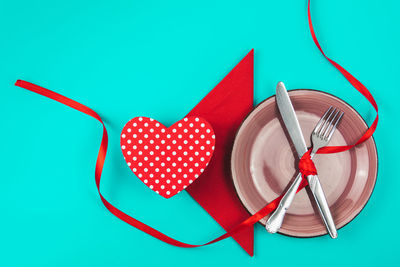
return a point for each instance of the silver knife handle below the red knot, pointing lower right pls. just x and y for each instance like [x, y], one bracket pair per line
[322, 204]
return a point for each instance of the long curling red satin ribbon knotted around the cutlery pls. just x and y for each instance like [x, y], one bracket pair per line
[306, 166]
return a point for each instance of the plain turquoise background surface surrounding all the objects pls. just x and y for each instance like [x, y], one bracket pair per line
[159, 58]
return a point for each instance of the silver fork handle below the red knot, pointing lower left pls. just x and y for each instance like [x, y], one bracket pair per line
[274, 222]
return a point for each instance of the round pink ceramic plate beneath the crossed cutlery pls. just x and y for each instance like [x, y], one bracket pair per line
[263, 163]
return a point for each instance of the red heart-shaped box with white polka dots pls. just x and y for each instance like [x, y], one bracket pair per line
[167, 160]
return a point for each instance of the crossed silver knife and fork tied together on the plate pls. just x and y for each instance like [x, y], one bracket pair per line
[320, 138]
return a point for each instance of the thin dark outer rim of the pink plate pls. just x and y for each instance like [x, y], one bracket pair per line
[312, 90]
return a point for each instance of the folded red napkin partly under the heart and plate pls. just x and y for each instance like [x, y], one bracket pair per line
[225, 107]
